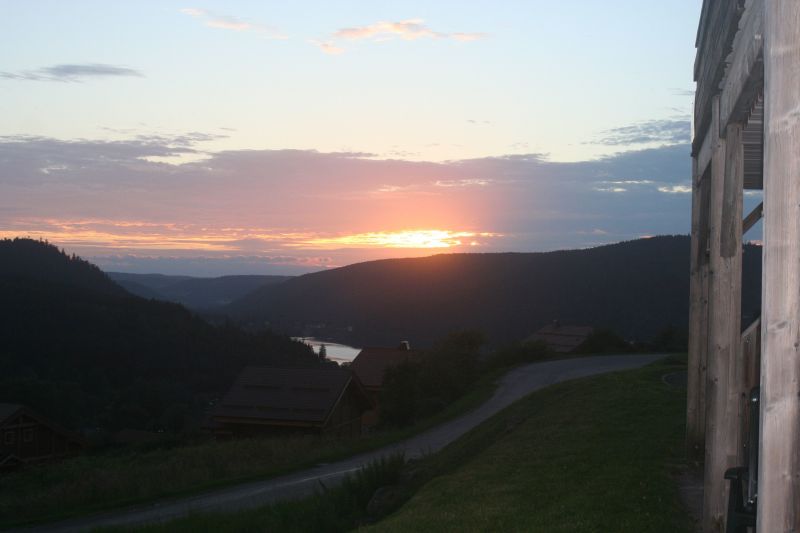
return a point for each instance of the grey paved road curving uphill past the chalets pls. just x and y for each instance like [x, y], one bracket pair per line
[513, 386]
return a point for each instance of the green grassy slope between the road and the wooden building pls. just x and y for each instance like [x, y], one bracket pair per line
[591, 455]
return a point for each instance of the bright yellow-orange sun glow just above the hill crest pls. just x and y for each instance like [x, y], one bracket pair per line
[417, 239]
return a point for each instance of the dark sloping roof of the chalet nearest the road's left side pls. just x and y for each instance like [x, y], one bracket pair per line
[304, 395]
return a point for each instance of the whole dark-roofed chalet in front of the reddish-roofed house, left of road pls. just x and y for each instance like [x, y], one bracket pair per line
[263, 401]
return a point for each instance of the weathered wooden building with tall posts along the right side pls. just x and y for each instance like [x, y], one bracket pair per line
[746, 137]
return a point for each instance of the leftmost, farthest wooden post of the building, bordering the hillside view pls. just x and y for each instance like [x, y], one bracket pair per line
[698, 319]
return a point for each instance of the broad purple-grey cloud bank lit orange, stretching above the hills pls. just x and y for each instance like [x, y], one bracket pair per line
[114, 198]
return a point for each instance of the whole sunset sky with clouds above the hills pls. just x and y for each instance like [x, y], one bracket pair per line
[287, 137]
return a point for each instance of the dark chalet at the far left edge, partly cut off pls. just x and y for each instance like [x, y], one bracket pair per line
[26, 437]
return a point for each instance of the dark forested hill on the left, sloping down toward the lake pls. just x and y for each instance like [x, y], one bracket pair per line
[84, 352]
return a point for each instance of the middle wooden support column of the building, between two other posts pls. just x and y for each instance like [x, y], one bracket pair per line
[724, 376]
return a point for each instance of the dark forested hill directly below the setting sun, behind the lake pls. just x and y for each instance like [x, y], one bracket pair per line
[637, 288]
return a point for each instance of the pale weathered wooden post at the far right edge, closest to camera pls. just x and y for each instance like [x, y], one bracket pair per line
[779, 443]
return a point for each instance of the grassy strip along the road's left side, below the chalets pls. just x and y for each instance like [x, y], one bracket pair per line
[97, 482]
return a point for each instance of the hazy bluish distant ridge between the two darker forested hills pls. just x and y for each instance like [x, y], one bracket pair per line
[194, 293]
